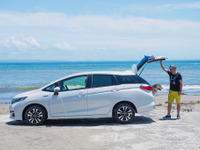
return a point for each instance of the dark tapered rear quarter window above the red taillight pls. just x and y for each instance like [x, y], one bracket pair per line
[130, 79]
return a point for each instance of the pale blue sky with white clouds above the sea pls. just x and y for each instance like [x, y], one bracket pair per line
[100, 30]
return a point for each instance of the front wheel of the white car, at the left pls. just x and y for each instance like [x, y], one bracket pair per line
[35, 115]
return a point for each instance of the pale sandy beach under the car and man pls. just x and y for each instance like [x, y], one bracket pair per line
[148, 131]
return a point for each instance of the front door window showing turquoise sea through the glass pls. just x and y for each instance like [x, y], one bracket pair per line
[74, 83]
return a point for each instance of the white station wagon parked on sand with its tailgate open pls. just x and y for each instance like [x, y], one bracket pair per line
[88, 95]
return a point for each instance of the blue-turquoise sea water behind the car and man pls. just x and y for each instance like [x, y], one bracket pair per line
[18, 77]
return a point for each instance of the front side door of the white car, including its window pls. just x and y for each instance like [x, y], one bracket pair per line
[71, 100]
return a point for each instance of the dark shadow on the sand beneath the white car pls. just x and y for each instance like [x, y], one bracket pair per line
[86, 122]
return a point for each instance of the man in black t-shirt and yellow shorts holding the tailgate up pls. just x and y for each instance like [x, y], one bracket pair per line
[176, 85]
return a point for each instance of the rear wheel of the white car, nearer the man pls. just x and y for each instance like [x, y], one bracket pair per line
[124, 113]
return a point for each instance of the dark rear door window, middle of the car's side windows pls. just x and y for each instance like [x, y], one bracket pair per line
[103, 80]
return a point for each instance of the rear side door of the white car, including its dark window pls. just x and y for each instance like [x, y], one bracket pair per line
[103, 93]
